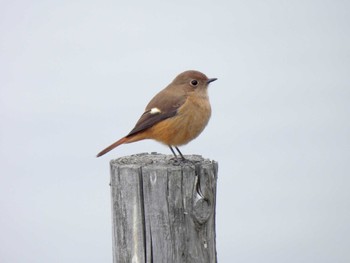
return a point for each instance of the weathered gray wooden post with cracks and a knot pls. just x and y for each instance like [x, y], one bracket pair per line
[163, 211]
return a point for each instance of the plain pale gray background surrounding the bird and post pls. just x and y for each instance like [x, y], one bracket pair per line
[76, 75]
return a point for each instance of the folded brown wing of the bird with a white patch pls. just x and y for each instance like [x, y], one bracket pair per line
[163, 106]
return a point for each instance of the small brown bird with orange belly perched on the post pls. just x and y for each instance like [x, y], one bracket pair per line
[176, 115]
